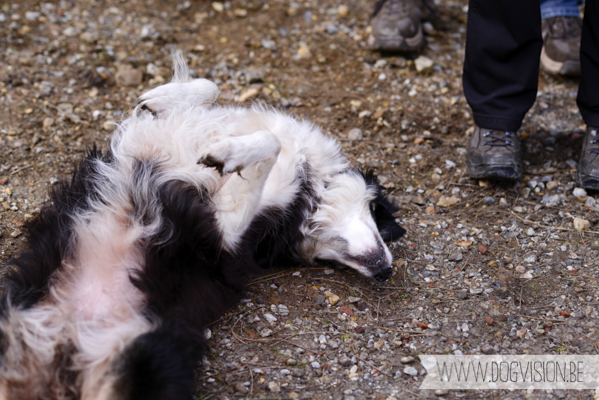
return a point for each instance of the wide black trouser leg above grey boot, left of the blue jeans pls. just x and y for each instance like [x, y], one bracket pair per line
[501, 67]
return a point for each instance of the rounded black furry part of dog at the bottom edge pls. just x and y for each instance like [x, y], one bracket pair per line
[160, 365]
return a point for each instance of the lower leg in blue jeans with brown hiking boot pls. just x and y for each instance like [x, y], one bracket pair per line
[561, 35]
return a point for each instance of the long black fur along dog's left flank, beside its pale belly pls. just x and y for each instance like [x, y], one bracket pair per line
[50, 235]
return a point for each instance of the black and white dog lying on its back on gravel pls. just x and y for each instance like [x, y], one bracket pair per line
[150, 242]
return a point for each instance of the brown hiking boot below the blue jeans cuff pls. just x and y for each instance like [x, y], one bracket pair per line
[561, 45]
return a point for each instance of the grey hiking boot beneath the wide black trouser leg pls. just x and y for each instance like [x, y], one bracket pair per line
[494, 154]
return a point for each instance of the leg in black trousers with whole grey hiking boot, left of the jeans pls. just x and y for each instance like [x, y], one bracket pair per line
[501, 70]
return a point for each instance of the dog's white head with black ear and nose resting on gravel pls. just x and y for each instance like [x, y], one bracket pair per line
[353, 220]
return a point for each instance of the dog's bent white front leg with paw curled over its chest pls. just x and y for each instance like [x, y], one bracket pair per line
[238, 200]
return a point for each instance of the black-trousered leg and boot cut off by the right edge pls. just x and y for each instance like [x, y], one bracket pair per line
[588, 98]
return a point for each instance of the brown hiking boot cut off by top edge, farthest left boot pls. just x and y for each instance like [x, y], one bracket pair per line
[397, 24]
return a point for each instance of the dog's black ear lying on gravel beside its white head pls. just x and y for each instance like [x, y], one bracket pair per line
[382, 209]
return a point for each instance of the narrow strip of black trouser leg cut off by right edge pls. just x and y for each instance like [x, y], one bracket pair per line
[588, 90]
